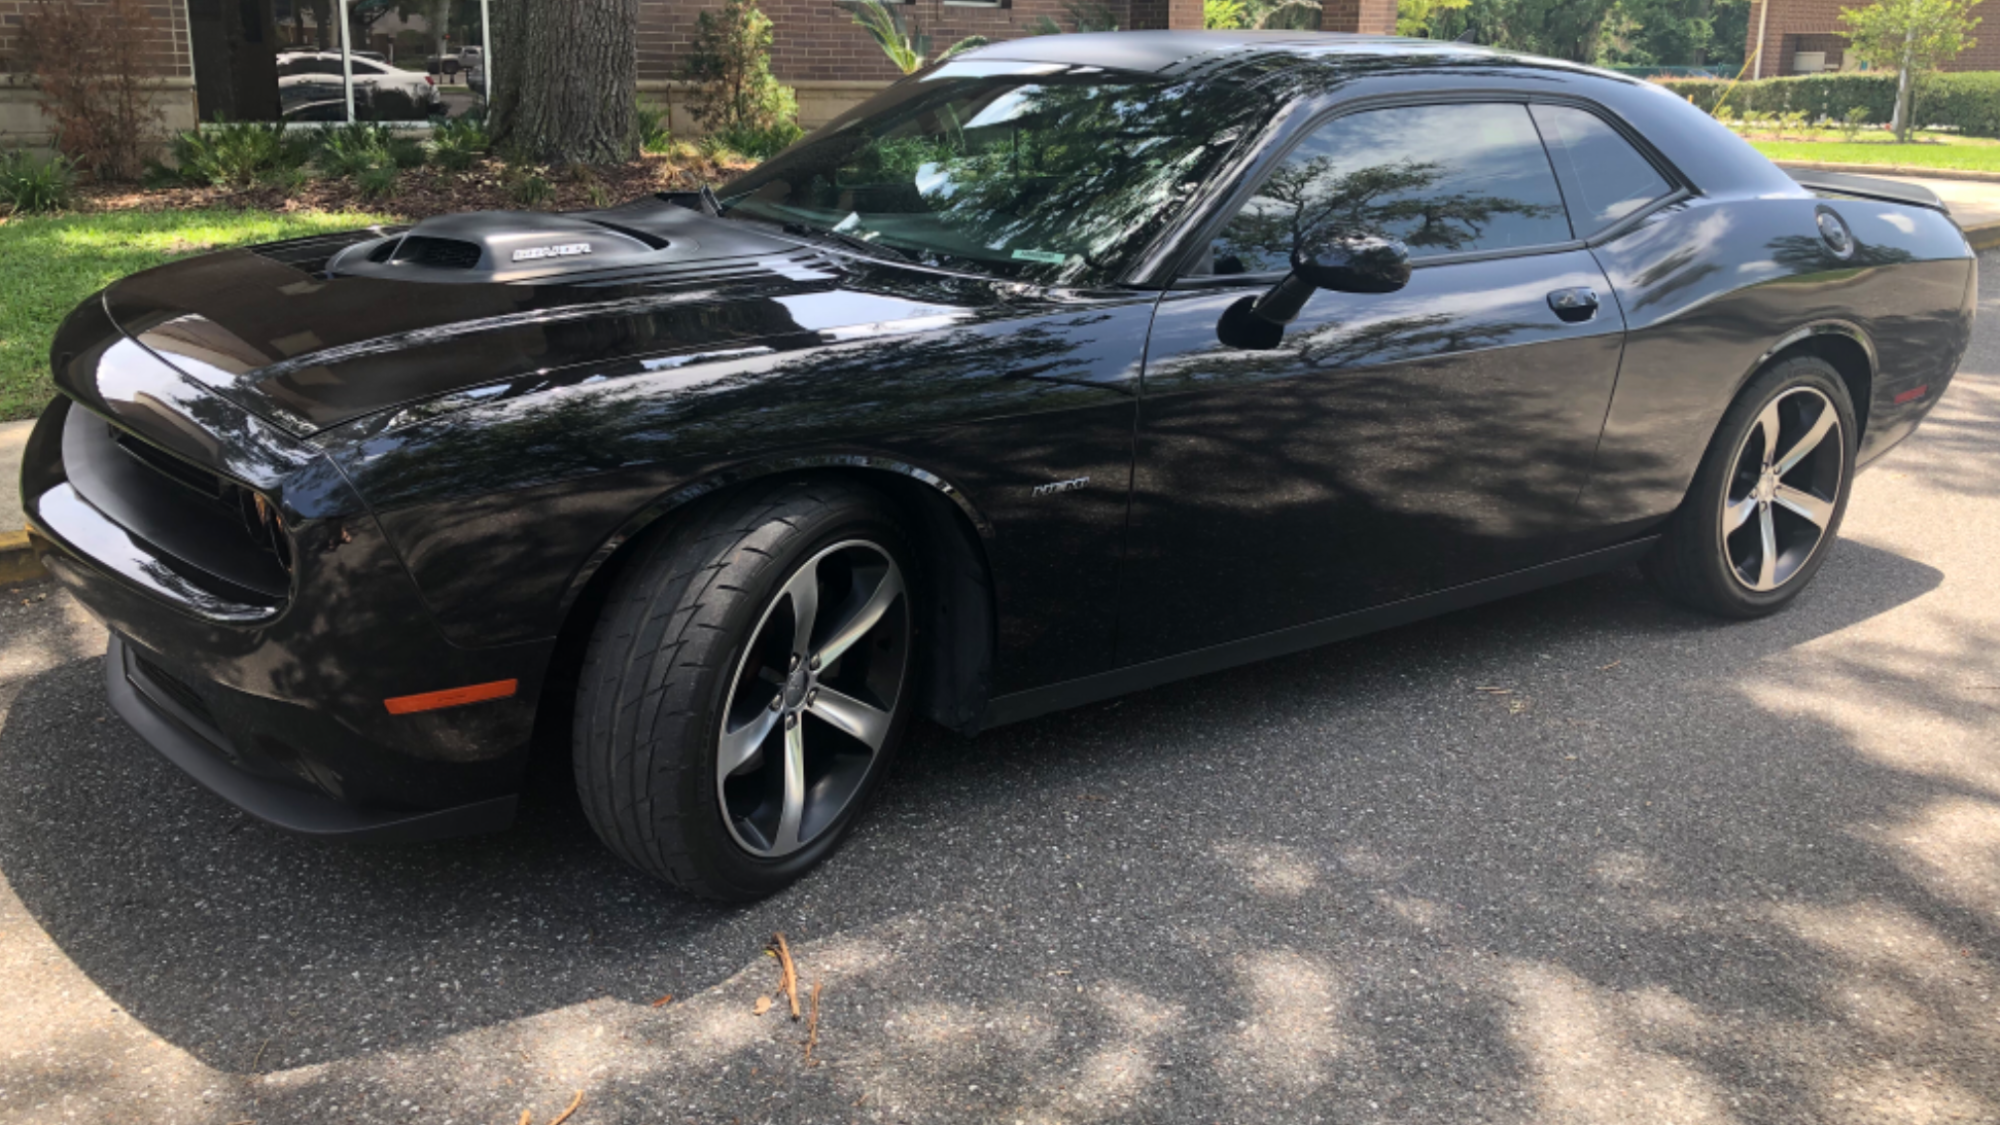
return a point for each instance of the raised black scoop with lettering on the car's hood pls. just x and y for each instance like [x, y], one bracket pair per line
[629, 245]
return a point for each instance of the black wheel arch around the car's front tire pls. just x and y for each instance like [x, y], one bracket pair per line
[951, 535]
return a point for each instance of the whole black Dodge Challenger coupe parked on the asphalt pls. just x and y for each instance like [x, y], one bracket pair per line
[1057, 371]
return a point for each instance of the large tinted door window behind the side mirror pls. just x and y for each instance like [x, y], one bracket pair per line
[1441, 179]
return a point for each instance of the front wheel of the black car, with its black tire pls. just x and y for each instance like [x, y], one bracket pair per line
[671, 664]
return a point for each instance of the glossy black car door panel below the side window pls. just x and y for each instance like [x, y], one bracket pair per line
[1405, 443]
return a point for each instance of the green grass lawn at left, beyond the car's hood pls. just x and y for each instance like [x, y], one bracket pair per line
[49, 265]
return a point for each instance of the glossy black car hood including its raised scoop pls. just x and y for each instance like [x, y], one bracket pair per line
[323, 331]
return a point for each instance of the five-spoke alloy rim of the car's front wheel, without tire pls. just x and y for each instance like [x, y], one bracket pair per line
[813, 700]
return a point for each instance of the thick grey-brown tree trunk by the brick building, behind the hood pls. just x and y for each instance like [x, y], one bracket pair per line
[569, 81]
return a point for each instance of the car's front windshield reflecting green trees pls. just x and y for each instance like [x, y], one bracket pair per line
[1043, 173]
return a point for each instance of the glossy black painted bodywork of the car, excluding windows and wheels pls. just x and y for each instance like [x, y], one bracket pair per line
[455, 465]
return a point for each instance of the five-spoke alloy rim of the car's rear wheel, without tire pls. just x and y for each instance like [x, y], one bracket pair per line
[1781, 497]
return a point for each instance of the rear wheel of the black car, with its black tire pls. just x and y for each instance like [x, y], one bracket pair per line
[1723, 572]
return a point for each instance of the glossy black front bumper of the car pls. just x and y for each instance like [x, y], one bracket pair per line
[267, 690]
